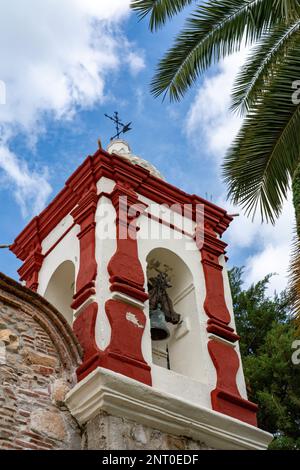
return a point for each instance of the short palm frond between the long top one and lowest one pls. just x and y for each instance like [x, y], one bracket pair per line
[261, 66]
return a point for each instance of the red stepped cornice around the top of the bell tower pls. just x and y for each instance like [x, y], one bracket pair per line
[115, 168]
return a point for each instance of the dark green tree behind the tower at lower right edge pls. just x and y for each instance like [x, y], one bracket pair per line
[273, 382]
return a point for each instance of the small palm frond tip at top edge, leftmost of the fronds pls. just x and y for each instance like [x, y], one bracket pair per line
[159, 10]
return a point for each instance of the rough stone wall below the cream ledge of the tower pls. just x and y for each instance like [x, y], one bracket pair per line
[106, 432]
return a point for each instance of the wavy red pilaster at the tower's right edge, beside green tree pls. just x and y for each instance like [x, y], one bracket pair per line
[225, 397]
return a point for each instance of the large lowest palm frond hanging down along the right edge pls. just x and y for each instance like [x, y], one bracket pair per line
[262, 160]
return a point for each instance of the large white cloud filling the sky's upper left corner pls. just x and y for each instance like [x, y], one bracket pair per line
[56, 56]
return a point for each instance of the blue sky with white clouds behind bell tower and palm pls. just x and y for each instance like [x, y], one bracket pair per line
[66, 63]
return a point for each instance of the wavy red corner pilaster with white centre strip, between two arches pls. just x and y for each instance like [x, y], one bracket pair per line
[124, 353]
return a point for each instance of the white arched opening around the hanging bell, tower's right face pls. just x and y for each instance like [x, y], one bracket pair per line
[177, 352]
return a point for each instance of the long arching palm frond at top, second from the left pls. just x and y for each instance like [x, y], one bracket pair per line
[215, 30]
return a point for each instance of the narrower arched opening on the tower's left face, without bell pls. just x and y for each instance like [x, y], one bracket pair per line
[60, 289]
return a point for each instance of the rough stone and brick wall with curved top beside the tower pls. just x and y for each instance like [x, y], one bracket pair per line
[38, 358]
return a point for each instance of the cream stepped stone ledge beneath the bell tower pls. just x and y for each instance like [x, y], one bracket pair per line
[117, 395]
